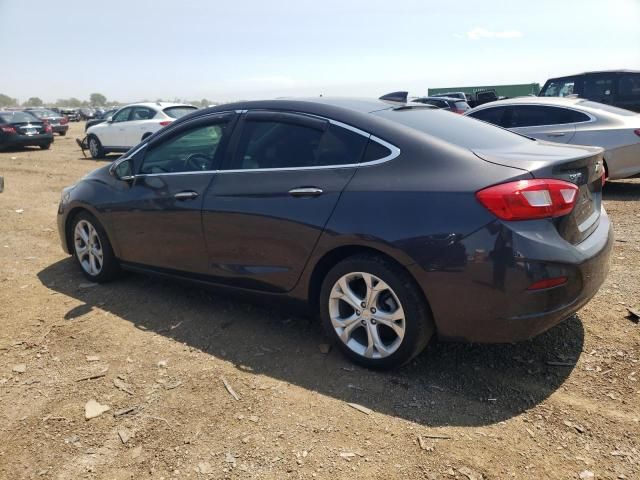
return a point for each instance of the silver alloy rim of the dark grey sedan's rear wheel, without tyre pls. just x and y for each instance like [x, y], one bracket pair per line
[367, 315]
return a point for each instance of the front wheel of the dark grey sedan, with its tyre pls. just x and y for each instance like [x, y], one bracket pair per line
[92, 250]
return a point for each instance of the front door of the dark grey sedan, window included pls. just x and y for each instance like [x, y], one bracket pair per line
[156, 220]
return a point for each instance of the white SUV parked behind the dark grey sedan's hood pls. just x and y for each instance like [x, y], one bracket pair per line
[132, 124]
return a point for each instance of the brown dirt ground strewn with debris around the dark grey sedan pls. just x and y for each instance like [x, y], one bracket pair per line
[560, 406]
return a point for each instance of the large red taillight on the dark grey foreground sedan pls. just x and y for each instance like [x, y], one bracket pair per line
[529, 199]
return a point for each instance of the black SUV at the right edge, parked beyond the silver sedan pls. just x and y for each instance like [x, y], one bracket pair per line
[620, 88]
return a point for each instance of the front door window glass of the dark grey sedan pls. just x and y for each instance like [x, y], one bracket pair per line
[188, 151]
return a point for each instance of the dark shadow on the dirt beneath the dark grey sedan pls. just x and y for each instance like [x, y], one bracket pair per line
[449, 384]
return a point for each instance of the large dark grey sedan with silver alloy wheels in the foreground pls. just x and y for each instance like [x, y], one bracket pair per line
[393, 221]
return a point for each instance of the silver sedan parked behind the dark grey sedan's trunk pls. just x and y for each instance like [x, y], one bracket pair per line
[575, 121]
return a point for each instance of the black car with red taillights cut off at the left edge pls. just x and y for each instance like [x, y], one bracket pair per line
[22, 129]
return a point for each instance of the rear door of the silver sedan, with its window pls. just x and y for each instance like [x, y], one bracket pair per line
[550, 123]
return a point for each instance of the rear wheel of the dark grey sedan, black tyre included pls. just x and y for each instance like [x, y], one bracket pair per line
[374, 312]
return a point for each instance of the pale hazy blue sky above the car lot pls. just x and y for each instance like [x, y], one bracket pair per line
[249, 49]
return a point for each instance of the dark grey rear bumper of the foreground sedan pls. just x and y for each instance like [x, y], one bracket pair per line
[485, 298]
